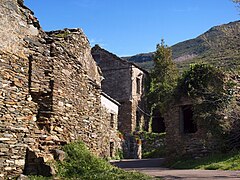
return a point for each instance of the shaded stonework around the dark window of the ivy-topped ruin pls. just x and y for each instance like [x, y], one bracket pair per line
[180, 144]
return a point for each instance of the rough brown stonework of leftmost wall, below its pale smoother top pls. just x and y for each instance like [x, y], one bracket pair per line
[17, 114]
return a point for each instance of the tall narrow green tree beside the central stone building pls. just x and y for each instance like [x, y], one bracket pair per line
[163, 77]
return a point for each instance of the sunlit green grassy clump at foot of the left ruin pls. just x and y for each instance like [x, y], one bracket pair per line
[81, 164]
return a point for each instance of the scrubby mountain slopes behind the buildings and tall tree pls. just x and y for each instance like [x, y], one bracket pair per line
[219, 46]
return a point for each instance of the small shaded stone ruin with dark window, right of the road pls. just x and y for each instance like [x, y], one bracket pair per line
[183, 136]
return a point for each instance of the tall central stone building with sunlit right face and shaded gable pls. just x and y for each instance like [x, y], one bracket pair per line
[127, 83]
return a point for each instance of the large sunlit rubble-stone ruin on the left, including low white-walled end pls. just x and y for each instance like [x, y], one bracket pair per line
[50, 94]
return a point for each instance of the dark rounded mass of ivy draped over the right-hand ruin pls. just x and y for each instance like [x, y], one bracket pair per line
[210, 91]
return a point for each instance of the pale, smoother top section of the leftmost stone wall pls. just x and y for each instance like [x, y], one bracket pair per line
[15, 25]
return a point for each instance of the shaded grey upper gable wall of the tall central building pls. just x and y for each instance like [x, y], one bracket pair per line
[117, 81]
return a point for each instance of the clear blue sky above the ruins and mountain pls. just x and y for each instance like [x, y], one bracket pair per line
[129, 27]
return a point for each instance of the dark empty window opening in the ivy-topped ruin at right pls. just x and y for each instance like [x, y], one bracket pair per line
[188, 124]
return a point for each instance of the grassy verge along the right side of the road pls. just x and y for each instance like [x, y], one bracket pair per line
[230, 161]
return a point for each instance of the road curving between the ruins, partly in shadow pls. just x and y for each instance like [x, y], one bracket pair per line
[152, 168]
